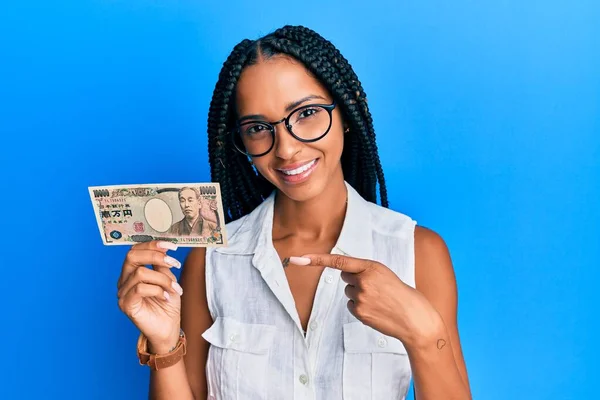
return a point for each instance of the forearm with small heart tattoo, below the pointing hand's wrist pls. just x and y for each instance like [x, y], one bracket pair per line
[435, 373]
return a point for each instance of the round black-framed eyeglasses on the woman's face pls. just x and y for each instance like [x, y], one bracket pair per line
[308, 123]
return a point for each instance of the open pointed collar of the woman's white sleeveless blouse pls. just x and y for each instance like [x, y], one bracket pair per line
[254, 234]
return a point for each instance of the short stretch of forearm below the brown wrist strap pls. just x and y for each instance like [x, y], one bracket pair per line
[171, 384]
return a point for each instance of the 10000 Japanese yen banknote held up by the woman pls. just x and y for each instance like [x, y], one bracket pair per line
[189, 214]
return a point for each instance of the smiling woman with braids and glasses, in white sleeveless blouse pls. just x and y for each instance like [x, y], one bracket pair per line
[320, 293]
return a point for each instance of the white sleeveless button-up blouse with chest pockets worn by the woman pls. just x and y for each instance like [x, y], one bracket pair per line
[258, 349]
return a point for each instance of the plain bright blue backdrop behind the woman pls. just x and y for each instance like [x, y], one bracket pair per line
[488, 122]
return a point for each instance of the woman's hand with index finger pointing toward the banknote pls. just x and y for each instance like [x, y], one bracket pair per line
[379, 299]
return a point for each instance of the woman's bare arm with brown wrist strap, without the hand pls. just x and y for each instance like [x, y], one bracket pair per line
[186, 380]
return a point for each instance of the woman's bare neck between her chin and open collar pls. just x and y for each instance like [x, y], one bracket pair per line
[313, 219]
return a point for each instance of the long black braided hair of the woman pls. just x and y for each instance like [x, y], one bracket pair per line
[242, 189]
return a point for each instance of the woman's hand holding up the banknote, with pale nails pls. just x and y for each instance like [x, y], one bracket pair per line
[151, 298]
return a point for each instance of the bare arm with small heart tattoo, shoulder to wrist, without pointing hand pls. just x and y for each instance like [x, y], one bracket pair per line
[438, 364]
